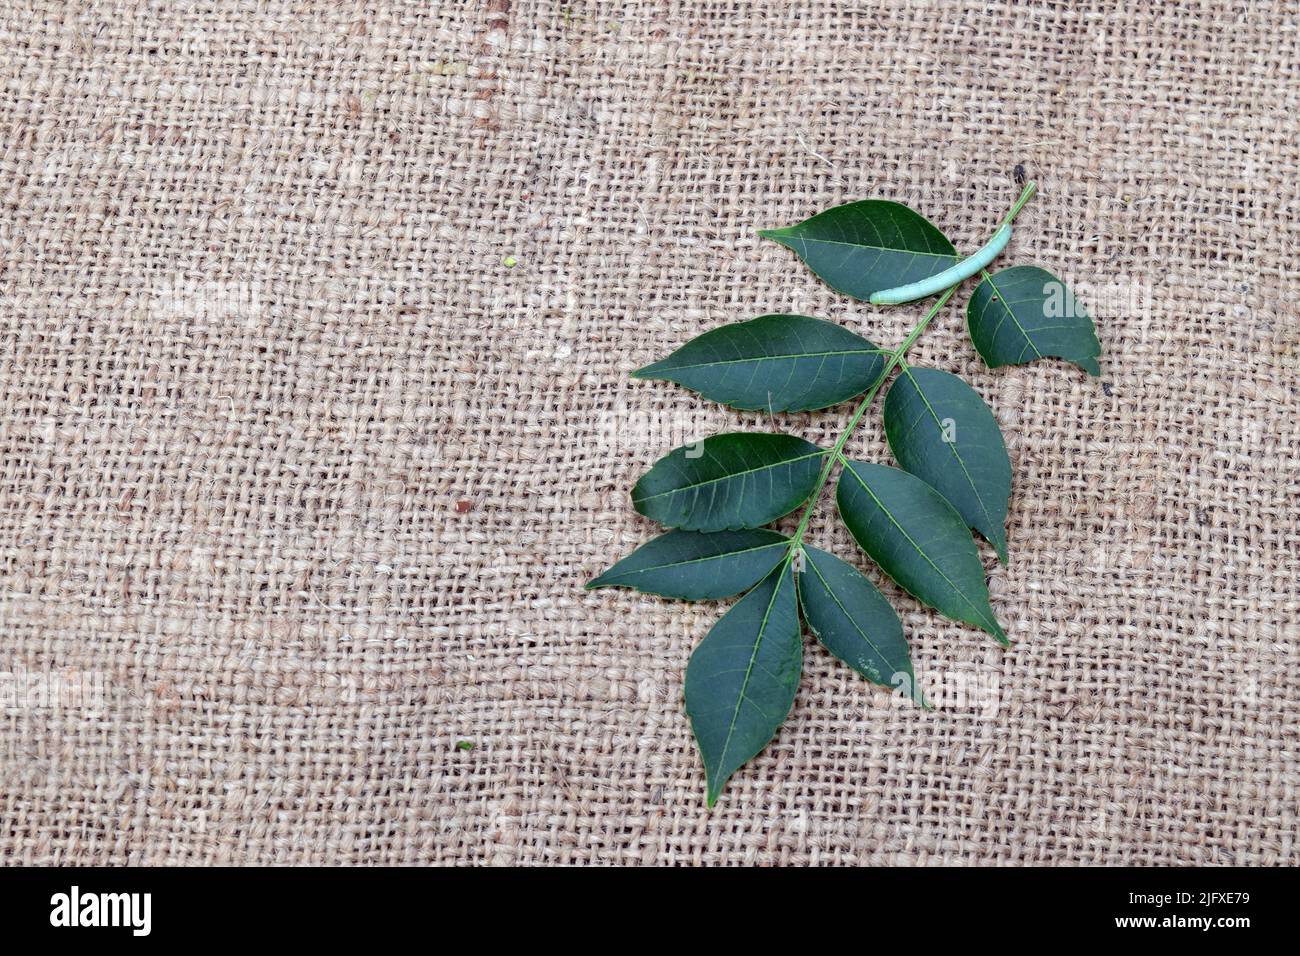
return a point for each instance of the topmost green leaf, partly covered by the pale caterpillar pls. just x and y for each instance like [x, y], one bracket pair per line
[863, 248]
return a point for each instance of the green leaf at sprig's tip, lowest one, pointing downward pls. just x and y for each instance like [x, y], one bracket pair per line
[743, 677]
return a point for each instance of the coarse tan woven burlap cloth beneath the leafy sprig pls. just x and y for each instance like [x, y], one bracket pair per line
[317, 328]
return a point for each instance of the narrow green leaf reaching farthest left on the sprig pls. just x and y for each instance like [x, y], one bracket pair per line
[696, 566]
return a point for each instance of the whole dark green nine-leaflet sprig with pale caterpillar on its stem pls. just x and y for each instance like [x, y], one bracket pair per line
[915, 522]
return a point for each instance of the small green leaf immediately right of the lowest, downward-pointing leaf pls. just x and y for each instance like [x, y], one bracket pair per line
[853, 621]
